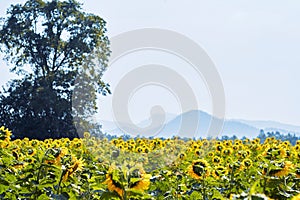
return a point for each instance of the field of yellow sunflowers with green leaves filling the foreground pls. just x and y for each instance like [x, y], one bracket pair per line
[141, 168]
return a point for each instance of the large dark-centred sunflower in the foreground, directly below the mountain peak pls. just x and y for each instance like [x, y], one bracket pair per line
[199, 169]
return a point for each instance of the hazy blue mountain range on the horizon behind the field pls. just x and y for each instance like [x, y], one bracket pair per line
[196, 123]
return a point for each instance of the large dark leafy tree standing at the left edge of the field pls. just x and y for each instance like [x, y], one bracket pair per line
[57, 49]
